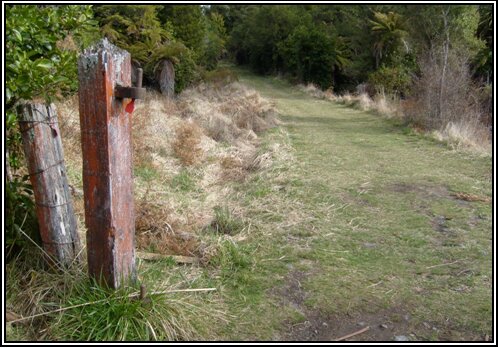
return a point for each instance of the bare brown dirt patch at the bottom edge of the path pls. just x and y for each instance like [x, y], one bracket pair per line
[385, 324]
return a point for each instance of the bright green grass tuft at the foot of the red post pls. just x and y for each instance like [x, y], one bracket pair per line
[120, 316]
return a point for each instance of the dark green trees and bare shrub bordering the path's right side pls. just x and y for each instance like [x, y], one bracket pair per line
[435, 57]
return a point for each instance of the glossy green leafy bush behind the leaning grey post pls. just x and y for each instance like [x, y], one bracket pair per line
[40, 61]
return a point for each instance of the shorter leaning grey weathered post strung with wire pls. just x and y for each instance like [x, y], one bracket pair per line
[54, 208]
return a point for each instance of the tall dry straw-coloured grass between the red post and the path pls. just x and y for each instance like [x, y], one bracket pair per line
[213, 130]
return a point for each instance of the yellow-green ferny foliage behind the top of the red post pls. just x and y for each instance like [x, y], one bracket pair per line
[192, 40]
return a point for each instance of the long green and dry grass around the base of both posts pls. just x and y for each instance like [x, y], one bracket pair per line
[94, 313]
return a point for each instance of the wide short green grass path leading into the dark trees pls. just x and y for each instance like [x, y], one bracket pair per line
[364, 228]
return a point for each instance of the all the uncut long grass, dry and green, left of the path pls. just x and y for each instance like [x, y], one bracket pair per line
[180, 182]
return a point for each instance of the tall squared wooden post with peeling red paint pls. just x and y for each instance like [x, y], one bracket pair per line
[107, 164]
